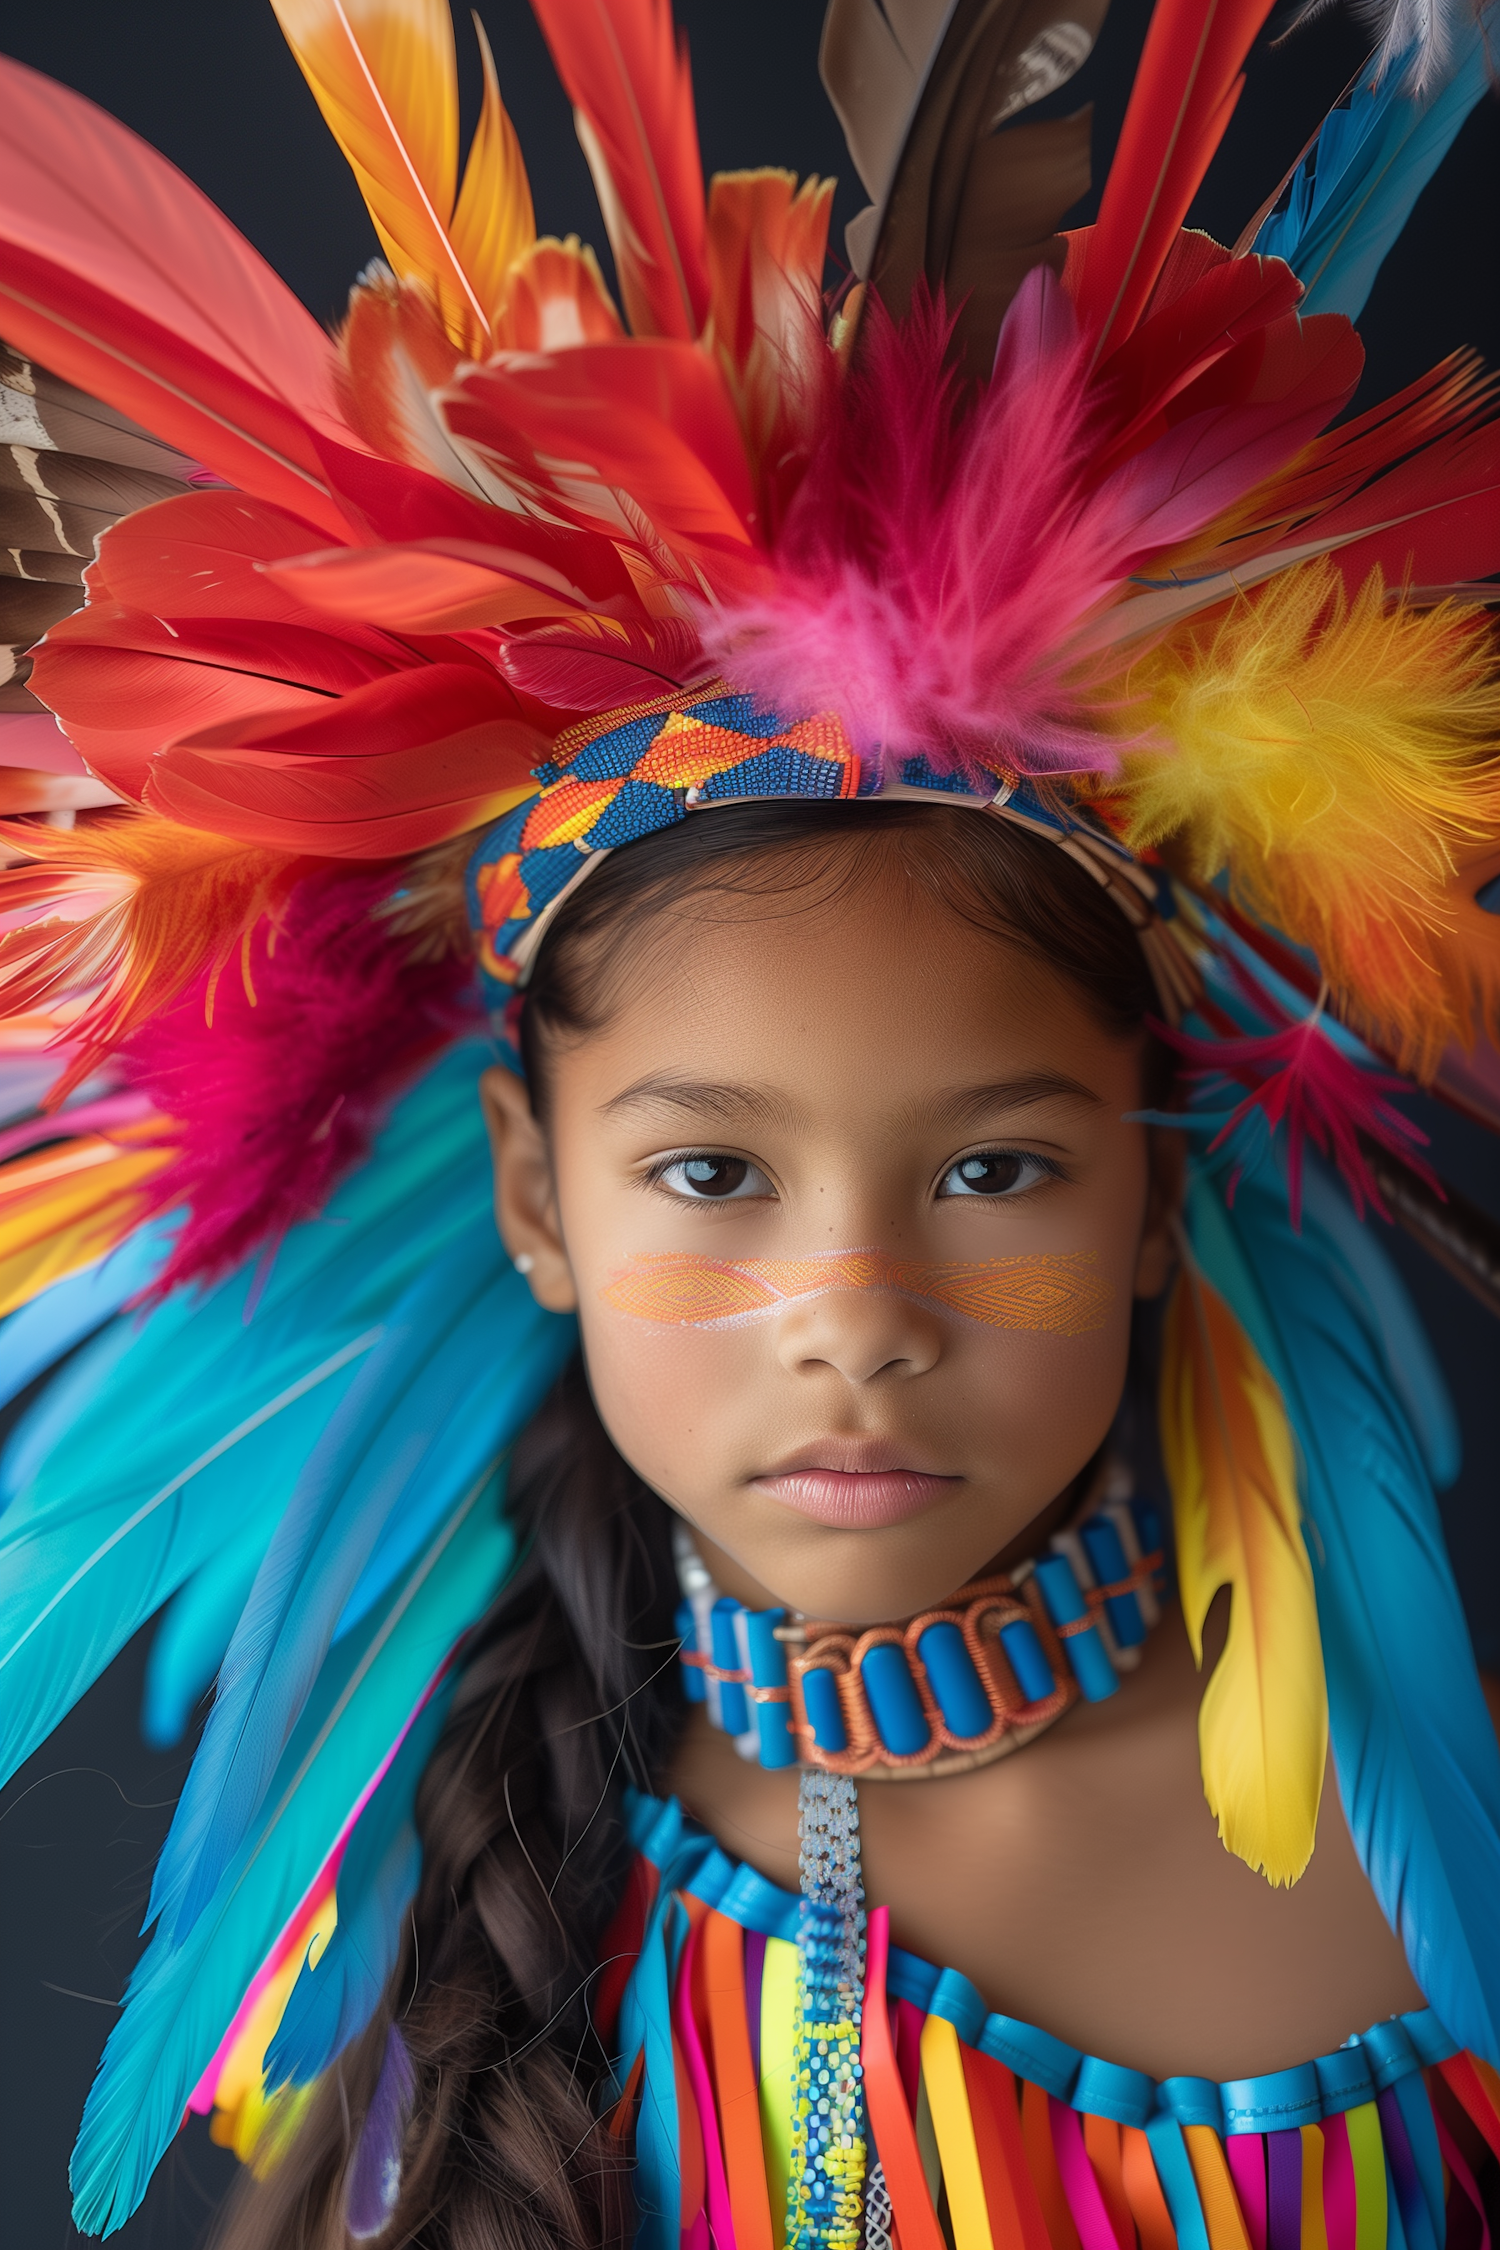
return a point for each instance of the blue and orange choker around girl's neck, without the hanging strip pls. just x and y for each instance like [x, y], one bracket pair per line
[950, 1689]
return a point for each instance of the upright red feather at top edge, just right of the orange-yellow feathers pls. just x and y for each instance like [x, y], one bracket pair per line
[626, 73]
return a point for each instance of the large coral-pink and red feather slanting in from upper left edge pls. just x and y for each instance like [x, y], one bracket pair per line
[123, 278]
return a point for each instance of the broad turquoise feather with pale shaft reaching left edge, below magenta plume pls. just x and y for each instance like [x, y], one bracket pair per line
[163, 1430]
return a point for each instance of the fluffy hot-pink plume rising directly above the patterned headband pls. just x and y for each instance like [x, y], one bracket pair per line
[943, 550]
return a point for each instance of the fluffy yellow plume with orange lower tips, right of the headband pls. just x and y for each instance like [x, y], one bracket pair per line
[1335, 757]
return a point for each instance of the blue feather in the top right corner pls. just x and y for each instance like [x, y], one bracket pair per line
[1357, 188]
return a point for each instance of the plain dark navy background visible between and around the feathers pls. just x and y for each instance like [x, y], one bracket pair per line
[213, 84]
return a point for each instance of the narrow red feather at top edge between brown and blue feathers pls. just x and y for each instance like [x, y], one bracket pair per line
[1186, 89]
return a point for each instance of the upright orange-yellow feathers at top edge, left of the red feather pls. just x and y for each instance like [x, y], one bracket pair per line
[383, 75]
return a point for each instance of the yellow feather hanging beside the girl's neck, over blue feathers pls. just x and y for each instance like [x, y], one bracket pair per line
[1265, 1716]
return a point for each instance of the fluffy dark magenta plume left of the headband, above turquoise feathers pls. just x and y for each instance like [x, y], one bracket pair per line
[278, 1101]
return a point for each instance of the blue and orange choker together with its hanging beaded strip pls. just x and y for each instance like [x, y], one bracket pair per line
[939, 1693]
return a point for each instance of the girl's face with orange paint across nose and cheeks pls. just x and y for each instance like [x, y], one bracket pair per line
[853, 1218]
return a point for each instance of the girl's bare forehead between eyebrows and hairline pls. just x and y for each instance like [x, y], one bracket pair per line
[856, 993]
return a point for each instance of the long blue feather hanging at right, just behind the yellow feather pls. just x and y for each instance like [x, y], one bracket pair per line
[1413, 1745]
